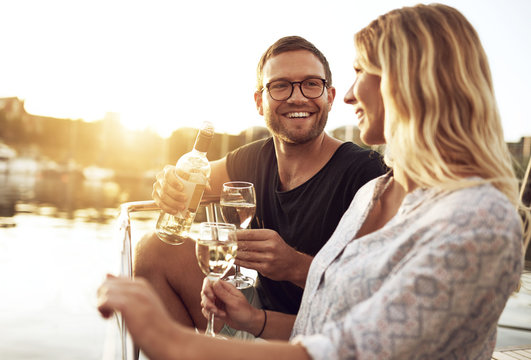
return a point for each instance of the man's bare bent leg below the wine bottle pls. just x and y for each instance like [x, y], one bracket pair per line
[174, 273]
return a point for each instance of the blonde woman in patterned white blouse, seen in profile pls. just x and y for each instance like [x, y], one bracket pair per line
[422, 263]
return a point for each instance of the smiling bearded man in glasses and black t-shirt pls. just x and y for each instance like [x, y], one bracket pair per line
[304, 181]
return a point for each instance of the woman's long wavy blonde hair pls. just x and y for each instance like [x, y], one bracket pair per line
[441, 115]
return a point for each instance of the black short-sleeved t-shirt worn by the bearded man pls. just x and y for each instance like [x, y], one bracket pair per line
[305, 217]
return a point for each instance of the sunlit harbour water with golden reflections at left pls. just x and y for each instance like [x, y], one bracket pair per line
[58, 240]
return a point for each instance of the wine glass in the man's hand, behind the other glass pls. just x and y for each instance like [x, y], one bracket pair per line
[238, 206]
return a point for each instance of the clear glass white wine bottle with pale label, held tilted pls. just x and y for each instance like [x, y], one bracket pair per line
[193, 170]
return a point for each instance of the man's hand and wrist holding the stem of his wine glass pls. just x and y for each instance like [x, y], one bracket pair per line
[266, 252]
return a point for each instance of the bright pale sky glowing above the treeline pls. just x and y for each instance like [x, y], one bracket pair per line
[166, 64]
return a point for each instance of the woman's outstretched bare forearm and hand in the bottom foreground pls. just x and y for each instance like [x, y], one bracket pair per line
[160, 338]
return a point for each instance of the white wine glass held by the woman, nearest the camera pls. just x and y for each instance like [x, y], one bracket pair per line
[215, 250]
